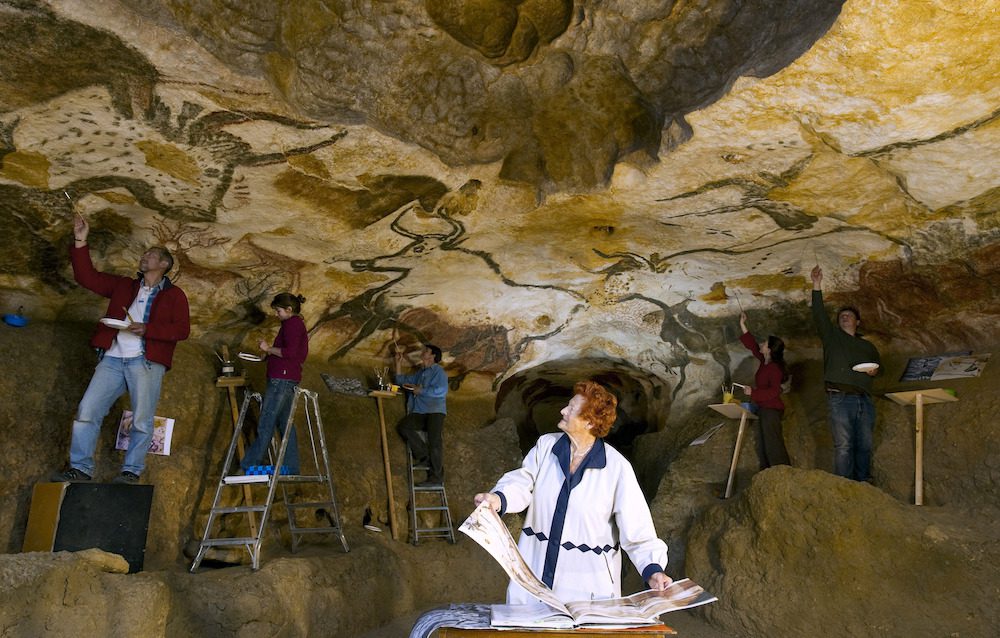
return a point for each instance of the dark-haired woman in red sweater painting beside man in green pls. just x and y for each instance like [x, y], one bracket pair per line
[766, 394]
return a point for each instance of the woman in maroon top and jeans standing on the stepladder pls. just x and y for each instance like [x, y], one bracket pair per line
[284, 371]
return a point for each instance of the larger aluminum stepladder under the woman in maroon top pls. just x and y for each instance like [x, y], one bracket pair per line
[258, 515]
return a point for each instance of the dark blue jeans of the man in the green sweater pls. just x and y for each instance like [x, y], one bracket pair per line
[852, 419]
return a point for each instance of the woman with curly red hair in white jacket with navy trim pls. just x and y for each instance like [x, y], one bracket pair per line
[583, 507]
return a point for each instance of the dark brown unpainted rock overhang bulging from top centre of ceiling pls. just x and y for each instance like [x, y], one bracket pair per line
[559, 91]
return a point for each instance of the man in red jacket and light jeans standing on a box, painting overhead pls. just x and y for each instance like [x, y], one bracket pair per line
[132, 359]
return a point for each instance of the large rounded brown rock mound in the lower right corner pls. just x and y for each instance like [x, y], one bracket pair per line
[859, 562]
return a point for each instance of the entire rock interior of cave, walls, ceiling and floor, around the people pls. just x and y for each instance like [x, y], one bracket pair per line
[548, 190]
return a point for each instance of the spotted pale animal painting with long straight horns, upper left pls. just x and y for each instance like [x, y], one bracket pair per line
[184, 176]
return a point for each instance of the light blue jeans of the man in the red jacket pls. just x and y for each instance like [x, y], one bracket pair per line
[112, 378]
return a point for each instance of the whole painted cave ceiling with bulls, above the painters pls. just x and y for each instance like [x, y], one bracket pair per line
[519, 182]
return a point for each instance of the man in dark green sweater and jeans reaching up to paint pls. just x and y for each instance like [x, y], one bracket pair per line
[848, 384]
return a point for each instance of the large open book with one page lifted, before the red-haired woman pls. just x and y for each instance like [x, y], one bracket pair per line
[485, 527]
